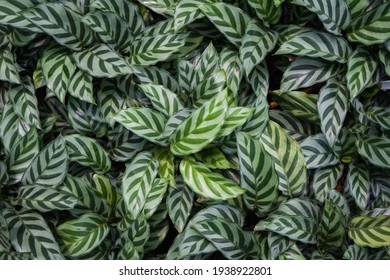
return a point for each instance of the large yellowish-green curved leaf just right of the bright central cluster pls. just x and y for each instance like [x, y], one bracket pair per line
[288, 157]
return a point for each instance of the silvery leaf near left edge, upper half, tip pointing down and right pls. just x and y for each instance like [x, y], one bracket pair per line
[25, 102]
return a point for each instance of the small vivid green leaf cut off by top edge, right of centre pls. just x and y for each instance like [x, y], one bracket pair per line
[267, 11]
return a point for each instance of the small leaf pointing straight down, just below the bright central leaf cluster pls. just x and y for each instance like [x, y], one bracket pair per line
[179, 204]
